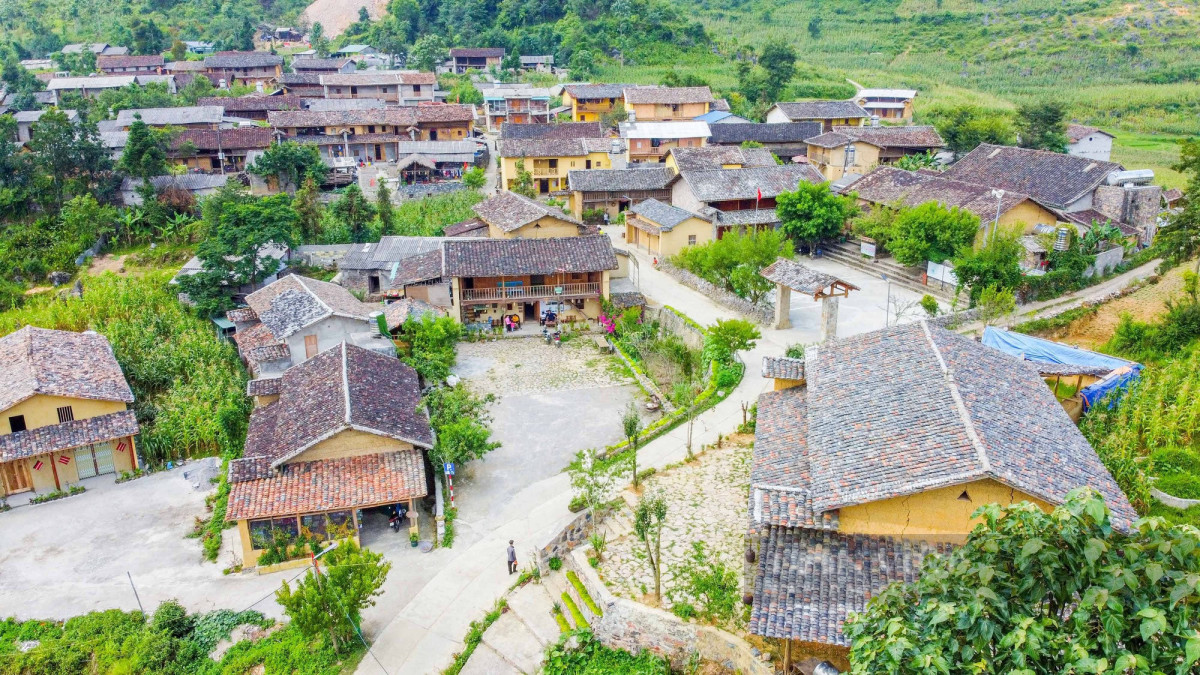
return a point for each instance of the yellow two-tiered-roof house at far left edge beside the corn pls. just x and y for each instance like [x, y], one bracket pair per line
[64, 411]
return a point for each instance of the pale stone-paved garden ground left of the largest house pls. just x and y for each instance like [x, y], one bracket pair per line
[707, 501]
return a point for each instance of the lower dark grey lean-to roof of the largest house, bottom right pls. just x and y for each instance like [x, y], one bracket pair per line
[808, 581]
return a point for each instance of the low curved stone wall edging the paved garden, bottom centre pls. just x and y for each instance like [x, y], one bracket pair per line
[634, 628]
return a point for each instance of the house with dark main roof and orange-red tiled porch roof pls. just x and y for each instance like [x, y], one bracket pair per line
[340, 435]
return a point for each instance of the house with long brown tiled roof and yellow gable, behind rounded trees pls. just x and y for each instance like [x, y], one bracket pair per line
[890, 187]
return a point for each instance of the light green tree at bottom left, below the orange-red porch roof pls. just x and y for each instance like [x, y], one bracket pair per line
[329, 604]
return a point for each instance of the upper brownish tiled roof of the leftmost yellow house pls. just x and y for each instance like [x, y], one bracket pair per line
[59, 363]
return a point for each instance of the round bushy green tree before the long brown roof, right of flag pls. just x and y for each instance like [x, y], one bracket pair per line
[932, 232]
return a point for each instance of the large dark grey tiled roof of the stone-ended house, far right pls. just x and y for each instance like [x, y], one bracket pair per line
[1052, 178]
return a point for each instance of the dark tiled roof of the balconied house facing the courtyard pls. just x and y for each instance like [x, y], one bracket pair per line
[499, 258]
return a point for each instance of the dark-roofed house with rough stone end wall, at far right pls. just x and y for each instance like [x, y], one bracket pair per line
[1078, 190]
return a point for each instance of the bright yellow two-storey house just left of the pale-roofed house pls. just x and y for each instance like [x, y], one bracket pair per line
[550, 160]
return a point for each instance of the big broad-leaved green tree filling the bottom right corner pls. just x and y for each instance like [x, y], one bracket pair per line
[1037, 593]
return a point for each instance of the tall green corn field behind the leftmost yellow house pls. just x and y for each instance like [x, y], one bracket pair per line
[189, 387]
